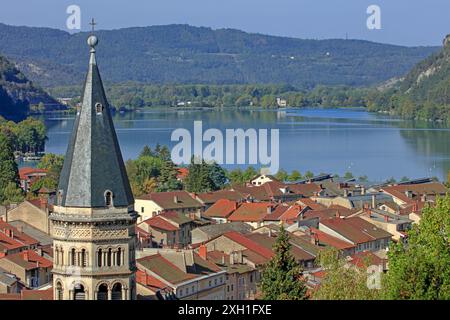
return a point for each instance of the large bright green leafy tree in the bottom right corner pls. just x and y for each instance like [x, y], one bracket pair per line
[420, 269]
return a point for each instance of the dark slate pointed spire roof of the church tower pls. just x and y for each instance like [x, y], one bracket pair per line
[93, 165]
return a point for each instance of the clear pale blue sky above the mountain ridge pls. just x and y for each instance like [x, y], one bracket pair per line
[403, 22]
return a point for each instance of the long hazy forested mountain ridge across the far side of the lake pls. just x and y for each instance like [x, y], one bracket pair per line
[186, 54]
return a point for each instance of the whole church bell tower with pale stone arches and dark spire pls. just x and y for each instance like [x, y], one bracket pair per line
[93, 222]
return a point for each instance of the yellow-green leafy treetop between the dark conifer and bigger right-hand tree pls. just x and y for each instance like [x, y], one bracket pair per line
[341, 281]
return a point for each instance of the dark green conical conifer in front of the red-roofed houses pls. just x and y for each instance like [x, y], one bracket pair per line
[281, 278]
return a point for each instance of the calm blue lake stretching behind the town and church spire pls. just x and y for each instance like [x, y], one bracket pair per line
[320, 140]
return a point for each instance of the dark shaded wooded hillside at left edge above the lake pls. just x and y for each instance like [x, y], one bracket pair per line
[17, 93]
